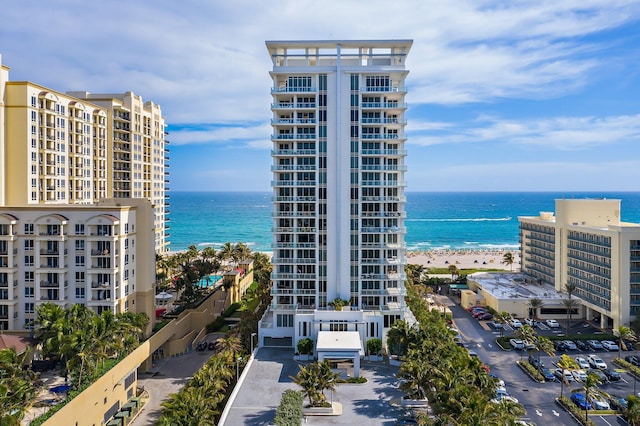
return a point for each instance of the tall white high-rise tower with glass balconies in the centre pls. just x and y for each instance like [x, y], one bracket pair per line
[338, 119]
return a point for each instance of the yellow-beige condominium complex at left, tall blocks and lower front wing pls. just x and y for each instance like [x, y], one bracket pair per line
[83, 200]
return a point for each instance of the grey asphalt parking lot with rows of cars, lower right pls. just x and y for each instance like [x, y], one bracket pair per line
[539, 398]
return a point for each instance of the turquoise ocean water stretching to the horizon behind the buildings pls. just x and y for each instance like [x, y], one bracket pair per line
[435, 220]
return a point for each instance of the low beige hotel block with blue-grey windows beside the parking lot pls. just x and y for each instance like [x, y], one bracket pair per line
[587, 245]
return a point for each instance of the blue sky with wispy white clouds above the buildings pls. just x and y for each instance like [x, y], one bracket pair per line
[540, 95]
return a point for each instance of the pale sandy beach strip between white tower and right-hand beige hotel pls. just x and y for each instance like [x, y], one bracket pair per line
[464, 259]
